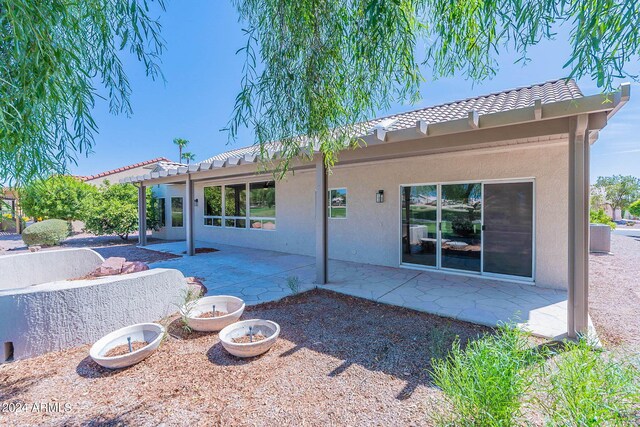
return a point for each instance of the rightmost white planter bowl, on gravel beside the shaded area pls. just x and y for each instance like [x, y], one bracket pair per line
[265, 327]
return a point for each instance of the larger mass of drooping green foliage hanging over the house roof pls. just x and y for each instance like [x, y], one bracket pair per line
[315, 66]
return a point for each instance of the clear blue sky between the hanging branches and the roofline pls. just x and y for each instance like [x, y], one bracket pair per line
[202, 74]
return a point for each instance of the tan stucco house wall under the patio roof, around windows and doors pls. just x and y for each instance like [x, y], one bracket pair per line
[370, 233]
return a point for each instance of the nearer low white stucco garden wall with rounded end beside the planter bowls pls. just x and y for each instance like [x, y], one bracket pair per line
[65, 313]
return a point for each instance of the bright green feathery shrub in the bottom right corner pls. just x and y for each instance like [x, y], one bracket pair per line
[591, 388]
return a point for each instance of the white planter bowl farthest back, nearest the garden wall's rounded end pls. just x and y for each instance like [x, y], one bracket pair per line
[233, 306]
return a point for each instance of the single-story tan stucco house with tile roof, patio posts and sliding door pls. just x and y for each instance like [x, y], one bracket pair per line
[494, 186]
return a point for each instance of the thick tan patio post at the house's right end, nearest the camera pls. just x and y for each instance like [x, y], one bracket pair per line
[578, 292]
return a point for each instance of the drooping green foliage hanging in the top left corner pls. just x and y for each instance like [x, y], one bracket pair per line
[53, 53]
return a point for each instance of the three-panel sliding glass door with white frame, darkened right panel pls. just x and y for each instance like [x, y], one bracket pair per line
[486, 228]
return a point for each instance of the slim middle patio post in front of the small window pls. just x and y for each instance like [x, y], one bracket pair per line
[322, 254]
